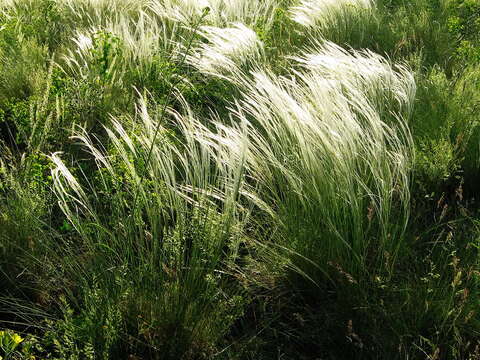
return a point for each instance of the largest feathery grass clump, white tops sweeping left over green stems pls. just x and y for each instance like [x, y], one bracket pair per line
[335, 175]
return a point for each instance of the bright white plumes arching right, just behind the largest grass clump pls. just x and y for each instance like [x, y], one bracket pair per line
[388, 87]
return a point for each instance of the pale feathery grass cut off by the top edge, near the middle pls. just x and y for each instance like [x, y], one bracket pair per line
[220, 12]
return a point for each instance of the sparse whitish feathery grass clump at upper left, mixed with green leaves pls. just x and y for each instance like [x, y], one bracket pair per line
[126, 52]
